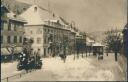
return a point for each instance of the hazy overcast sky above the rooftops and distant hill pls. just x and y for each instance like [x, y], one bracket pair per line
[89, 15]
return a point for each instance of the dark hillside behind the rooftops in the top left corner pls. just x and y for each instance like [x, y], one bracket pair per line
[15, 6]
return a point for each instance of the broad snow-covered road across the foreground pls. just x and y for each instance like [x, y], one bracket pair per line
[89, 69]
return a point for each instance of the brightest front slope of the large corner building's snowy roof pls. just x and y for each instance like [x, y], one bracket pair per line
[32, 15]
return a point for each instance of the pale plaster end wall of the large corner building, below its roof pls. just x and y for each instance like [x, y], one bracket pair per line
[35, 35]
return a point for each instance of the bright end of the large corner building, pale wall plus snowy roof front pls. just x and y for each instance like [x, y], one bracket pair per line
[34, 27]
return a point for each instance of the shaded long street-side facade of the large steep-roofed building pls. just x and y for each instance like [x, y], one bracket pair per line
[55, 36]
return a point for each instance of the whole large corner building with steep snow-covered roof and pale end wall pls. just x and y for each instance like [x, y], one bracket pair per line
[47, 30]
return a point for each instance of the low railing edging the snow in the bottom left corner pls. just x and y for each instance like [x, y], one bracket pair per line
[10, 78]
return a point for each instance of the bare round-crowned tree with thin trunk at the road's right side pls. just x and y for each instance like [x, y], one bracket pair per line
[113, 41]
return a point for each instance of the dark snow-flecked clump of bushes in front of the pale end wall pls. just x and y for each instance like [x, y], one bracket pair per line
[29, 60]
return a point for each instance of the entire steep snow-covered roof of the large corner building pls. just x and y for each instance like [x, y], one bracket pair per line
[36, 15]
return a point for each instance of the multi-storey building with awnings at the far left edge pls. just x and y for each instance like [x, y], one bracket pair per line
[11, 33]
